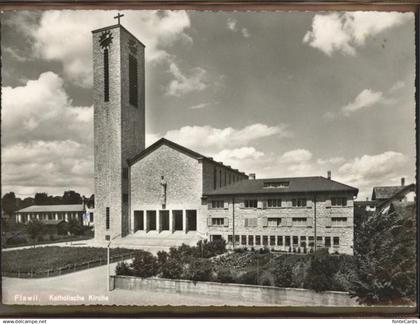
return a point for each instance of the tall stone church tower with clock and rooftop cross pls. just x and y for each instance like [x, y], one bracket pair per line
[119, 124]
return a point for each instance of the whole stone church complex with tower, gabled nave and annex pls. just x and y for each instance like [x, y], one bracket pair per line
[170, 194]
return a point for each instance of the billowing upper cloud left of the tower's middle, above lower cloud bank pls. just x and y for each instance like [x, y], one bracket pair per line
[42, 110]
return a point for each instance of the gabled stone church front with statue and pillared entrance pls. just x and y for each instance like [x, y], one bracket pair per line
[186, 176]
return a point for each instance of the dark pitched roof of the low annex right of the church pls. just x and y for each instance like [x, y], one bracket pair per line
[295, 185]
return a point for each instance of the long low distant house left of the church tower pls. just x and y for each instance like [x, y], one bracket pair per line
[51, 212]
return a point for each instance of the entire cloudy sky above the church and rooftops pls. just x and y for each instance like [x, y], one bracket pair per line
[278, 94]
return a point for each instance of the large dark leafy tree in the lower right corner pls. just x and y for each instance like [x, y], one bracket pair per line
[386, 257]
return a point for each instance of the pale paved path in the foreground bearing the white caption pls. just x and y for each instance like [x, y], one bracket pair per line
[89, 287]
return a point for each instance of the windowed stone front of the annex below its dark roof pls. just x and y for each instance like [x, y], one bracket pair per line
[320, 220]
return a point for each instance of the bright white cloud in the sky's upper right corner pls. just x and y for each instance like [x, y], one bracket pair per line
[344, 32]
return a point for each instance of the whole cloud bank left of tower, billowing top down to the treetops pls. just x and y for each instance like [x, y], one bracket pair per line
[47, 142]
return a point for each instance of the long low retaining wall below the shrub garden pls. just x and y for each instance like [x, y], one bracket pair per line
[235, 292]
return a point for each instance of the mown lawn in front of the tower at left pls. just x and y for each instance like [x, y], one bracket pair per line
[53, 260]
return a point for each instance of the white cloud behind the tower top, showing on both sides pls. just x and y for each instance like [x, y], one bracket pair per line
[65, 36]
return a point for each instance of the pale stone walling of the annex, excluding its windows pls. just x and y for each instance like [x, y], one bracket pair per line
[235, 214]
